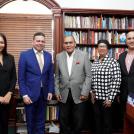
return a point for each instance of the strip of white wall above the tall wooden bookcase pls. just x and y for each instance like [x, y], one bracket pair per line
[98, 4]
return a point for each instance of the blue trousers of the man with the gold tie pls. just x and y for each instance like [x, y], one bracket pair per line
[36, 115]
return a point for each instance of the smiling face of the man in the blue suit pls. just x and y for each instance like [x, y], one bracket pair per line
[39, 43]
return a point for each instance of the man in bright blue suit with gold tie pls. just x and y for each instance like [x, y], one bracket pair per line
[36, 83]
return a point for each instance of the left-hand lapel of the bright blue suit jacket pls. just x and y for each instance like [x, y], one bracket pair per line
[35, 62]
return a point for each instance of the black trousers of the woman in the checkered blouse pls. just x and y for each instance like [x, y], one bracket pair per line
[102, 118]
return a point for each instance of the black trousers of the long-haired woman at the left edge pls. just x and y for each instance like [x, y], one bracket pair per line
[4, 116]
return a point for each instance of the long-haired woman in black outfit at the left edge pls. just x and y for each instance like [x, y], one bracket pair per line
[7, 83]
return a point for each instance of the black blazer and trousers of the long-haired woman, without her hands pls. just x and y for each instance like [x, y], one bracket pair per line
[7, 84]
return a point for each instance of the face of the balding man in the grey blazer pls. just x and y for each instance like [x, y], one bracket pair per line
[69, 45]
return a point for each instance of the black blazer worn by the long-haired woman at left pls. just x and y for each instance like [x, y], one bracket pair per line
[7, 75]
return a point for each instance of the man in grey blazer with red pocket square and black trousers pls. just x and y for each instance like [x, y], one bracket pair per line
[72, 86]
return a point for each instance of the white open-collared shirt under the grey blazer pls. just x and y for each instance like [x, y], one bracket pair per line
[70, 62]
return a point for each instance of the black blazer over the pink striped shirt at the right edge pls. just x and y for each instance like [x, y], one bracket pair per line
[127, 83]
